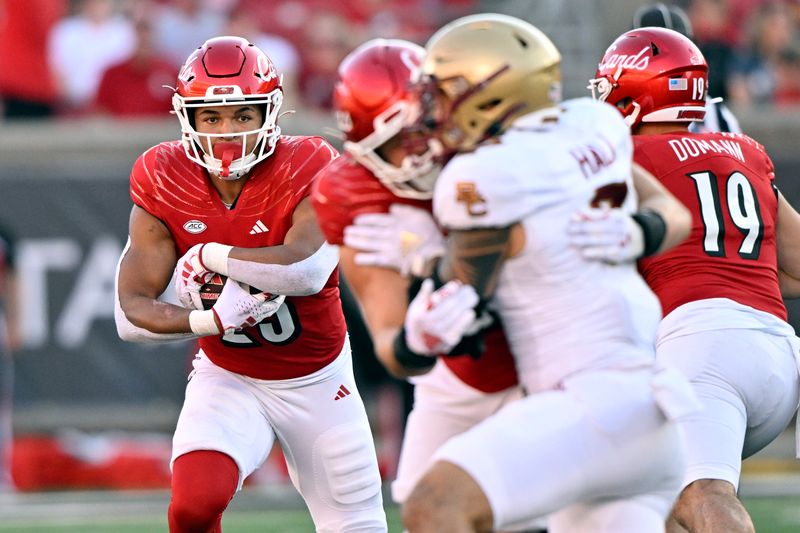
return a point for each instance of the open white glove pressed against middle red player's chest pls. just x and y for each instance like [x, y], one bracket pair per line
[405, 239]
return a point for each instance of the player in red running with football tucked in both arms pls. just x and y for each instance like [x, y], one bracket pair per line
[232, 197]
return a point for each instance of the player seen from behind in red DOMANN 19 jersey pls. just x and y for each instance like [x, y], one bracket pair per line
[724, 320]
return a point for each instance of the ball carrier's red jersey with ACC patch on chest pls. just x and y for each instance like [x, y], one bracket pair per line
[306, 333]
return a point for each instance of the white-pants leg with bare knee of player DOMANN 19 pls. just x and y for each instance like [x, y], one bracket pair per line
[736, 390]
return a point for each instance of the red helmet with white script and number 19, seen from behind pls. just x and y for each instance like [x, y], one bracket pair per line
[653, 75]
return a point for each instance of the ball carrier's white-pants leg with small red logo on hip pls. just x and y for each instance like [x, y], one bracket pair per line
[323, 429]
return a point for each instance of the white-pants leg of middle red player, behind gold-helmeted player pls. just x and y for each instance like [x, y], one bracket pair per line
[443, 407]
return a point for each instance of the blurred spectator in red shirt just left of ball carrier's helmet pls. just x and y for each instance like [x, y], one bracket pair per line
[136, 86]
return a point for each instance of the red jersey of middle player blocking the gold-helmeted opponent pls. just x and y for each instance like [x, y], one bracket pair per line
[346, 189]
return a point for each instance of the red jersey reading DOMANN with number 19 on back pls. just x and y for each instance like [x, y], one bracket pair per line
[726, 181]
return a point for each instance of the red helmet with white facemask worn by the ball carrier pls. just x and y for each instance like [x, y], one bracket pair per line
[228, 71]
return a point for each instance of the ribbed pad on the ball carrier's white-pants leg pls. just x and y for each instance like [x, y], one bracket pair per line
[346, 457]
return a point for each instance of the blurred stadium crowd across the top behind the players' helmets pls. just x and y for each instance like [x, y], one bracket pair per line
[82, 57]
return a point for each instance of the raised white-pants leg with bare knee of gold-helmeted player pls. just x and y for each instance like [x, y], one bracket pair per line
[604, 435]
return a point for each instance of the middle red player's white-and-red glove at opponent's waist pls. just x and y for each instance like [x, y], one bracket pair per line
[437, 320]
